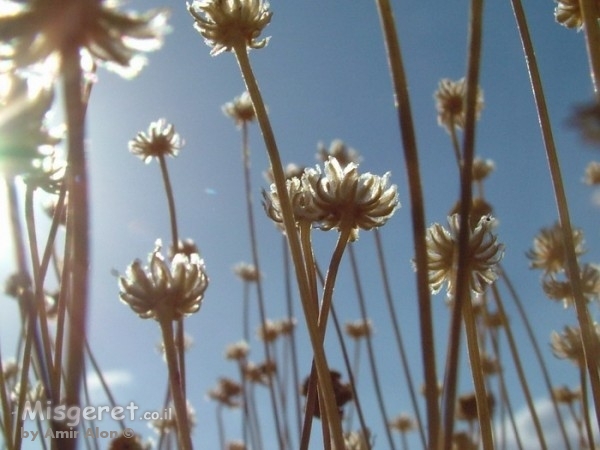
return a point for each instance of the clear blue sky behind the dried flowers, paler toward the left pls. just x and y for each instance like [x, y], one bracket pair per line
[324, 76]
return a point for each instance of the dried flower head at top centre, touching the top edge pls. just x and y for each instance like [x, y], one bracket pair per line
[225, 24]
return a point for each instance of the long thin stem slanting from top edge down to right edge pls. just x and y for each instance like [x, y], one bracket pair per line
[589, 338]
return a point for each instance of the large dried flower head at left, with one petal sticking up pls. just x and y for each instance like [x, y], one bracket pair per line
[162, 292]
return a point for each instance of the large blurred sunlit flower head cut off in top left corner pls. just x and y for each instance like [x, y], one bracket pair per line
[101, 32]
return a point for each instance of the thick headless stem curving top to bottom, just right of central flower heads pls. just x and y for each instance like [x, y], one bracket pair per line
[405, 121]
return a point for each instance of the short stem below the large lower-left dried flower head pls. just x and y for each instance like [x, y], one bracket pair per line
[179, 401]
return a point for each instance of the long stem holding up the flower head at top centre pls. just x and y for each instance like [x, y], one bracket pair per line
[293, 241]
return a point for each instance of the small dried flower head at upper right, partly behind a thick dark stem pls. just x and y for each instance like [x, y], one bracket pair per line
[451, 106]
